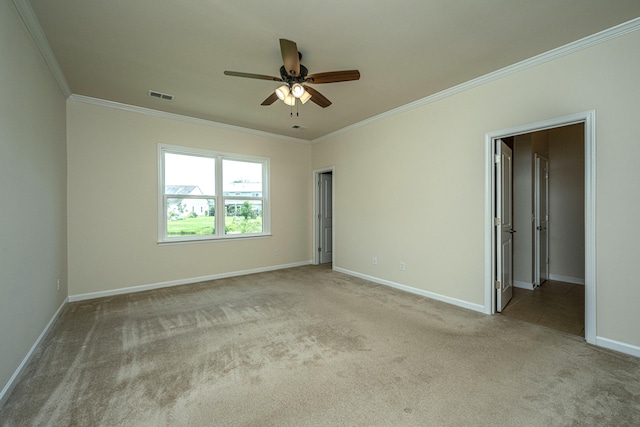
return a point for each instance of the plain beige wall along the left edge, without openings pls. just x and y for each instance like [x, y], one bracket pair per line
[32, 193]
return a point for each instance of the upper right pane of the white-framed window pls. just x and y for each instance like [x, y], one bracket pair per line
[242, 179]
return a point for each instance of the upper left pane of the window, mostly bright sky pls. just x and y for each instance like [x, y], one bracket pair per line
[189, 175]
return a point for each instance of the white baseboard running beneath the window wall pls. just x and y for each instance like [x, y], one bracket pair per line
[141, 288]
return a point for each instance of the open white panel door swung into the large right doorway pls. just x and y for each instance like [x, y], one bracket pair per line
[504, 225]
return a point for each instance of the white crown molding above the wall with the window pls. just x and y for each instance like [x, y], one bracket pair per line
[182, 118]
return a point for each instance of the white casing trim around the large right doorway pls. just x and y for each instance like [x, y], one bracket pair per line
[588, 118]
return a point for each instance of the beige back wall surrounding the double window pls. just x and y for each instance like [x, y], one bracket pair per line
[113, 201]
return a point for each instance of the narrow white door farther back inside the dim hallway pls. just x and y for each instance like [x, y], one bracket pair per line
[542, 220]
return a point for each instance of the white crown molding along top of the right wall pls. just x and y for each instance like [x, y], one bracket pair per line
[568, 49]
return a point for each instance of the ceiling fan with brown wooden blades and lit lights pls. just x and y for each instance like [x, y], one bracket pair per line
[296, 76]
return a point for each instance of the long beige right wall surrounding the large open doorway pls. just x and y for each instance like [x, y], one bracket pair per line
[410, 187]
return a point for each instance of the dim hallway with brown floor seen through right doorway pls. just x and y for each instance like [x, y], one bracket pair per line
[552, 298]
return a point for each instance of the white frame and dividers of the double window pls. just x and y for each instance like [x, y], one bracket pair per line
[219, 196]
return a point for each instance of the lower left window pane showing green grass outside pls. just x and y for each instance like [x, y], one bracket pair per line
[190, 217]
